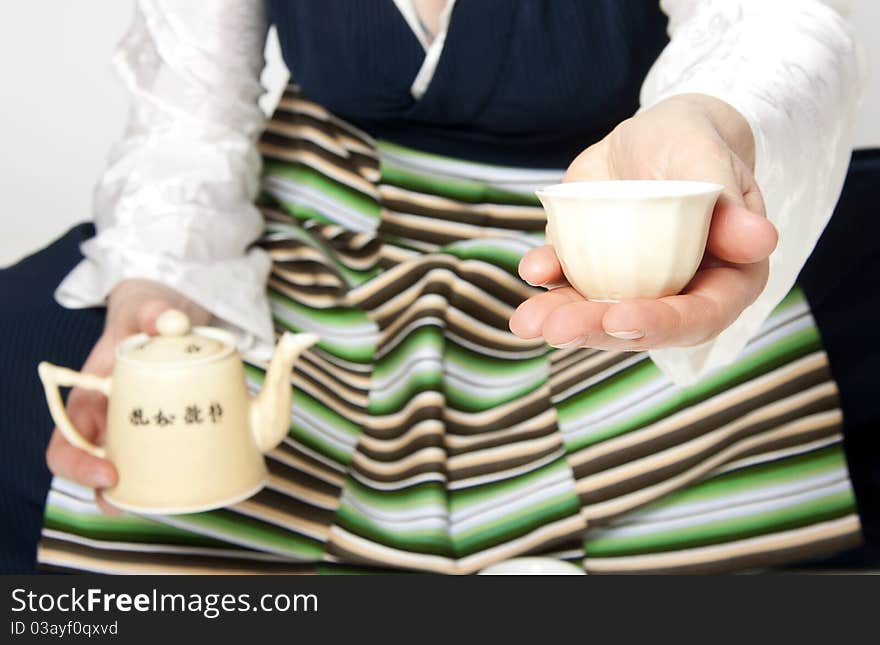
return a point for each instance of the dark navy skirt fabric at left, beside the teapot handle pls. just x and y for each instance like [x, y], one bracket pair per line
[34, 328]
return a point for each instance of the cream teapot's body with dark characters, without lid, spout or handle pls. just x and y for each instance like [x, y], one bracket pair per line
[180, 438]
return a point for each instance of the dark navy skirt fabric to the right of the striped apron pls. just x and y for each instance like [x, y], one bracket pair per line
[840, 281]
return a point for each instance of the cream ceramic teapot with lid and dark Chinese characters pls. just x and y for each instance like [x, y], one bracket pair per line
[182, 431]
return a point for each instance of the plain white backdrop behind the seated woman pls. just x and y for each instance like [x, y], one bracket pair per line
[61, 108]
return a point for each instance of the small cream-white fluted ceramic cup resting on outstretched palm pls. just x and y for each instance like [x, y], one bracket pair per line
[629, 239]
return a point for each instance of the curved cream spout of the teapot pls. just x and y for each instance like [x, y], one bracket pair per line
[270, 409]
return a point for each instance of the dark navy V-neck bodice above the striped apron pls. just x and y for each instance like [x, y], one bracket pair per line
[526, 83]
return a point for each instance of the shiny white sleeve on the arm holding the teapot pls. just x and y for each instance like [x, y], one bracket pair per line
[175, 203]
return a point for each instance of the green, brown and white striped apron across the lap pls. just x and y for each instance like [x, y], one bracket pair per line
[425, 436]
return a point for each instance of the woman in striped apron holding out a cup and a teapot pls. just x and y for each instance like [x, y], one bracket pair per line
[397, 188]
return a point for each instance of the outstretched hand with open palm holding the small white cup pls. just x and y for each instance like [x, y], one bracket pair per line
[688, 137]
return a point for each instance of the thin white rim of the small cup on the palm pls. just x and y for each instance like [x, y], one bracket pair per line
[631, 189]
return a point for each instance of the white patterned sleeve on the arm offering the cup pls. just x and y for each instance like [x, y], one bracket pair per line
[795, 72]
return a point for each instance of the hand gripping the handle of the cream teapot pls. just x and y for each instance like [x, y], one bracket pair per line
[132, 307]
